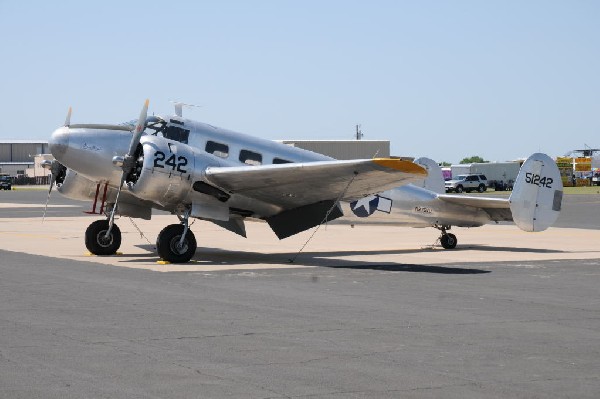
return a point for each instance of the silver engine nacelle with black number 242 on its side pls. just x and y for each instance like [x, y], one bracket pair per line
[166, 170]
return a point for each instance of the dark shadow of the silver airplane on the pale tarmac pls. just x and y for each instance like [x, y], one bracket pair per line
[217, 256]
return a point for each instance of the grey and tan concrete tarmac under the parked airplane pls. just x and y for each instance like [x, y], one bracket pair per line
[364, 312]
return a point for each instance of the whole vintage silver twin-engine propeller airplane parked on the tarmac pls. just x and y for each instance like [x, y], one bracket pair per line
[196, 170]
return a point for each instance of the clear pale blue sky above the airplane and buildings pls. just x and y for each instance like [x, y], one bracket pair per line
[444, 79]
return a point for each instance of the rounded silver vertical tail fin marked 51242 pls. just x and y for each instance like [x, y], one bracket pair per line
[536, 199]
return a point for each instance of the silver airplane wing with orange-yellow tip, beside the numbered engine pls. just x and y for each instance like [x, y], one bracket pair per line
[296, 184]
